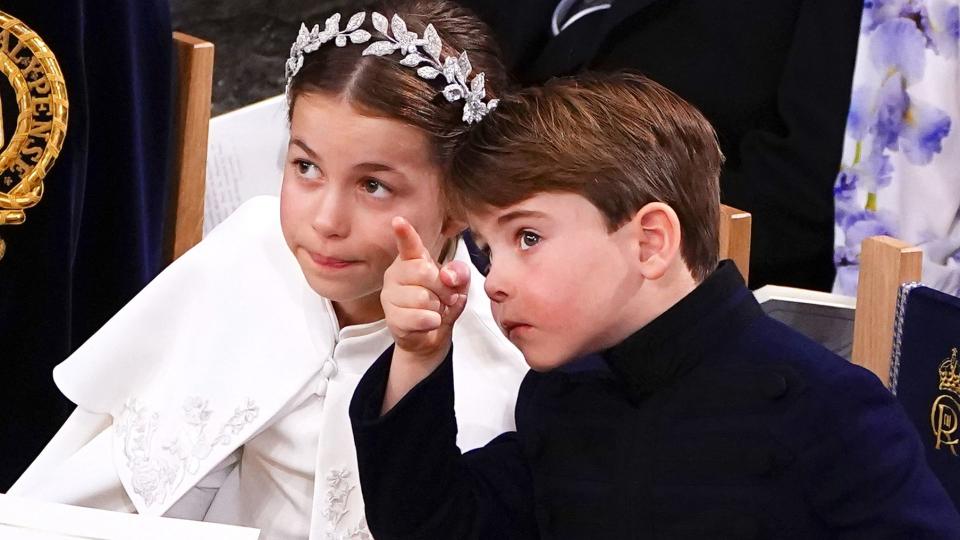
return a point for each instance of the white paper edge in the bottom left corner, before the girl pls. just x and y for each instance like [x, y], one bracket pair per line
[25, 519]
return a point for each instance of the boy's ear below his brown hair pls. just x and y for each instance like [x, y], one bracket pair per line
[658, 237]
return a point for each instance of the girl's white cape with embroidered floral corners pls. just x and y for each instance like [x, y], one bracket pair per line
[207, 355]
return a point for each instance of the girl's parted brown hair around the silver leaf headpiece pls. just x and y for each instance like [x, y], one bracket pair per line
[380, 86]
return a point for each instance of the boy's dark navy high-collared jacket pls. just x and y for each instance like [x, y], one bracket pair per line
[713, 421]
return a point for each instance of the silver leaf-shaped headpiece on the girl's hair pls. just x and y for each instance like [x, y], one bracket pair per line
[422, 53]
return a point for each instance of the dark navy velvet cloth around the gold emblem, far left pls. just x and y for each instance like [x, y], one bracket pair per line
[95, 239]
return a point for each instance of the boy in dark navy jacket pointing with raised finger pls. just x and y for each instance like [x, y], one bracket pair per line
[597, 201]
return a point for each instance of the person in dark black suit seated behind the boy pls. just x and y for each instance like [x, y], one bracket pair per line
[774, 78]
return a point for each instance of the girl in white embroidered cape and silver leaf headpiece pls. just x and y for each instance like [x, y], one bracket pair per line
[221, 391]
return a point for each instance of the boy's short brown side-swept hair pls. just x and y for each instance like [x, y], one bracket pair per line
[620, 140]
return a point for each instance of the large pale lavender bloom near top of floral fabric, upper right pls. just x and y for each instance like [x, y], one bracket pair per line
[898, 45]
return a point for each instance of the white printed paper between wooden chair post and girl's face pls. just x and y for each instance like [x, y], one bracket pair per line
[245, 153]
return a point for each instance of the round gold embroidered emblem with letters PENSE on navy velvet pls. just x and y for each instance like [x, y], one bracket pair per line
[27, 155]
